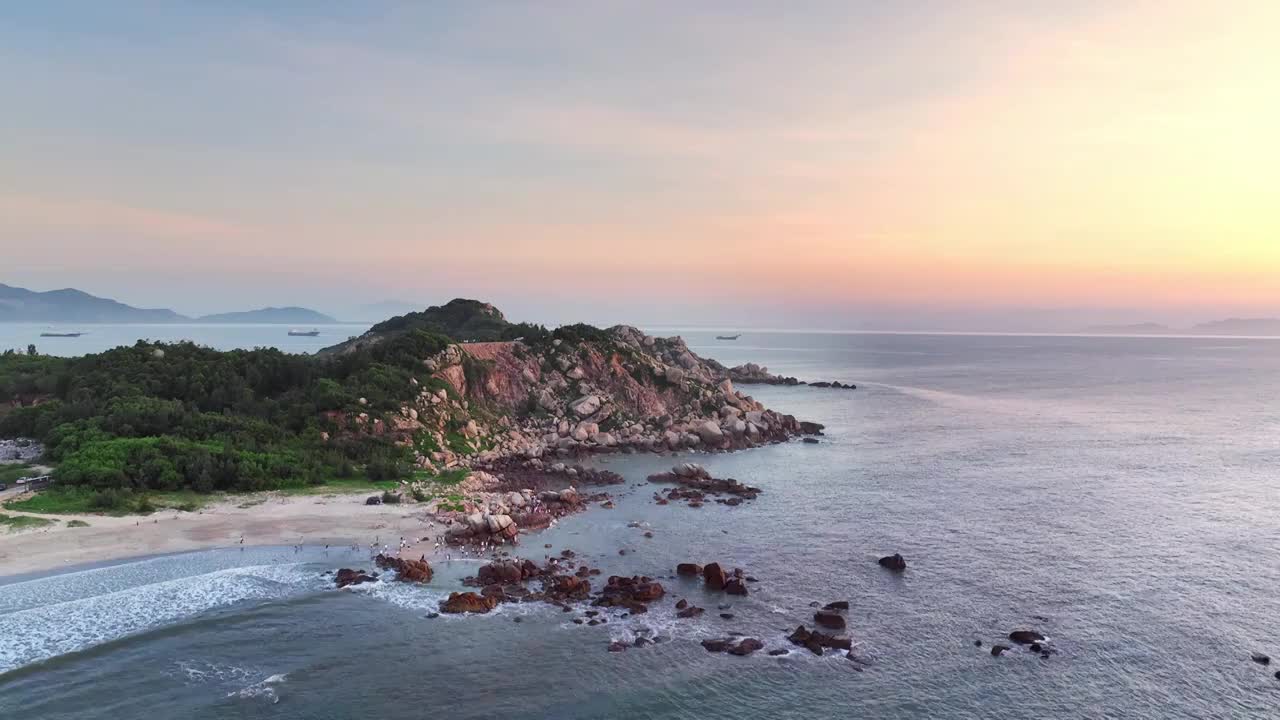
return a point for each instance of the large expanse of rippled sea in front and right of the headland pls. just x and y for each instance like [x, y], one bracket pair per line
[1119, 495]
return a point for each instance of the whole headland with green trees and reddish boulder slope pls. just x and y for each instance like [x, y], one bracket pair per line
[406, 398]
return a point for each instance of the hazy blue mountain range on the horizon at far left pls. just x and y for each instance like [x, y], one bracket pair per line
[21, 306]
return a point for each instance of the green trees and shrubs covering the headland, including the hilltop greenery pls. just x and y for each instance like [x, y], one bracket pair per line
[156, 426]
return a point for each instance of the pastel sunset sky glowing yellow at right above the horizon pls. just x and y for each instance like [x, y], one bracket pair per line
[651, 162]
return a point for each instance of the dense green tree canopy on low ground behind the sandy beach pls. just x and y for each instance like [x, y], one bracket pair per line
[175, 417]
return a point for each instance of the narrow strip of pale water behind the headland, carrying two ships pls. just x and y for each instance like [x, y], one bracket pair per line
[99, 338]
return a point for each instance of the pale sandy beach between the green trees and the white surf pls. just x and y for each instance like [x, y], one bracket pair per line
[259, 520]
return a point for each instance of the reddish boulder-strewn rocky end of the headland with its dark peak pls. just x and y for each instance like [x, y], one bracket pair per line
[598, 391]
